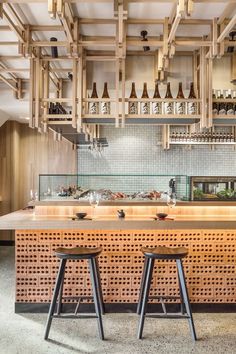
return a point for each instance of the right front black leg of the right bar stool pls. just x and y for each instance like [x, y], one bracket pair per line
[186, 297]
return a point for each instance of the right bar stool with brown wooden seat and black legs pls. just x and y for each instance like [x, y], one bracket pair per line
[164, 253]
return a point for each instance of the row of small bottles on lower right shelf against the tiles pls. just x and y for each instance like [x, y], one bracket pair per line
[212, 137]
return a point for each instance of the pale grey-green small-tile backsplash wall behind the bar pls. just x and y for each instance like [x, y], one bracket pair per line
[137, 150]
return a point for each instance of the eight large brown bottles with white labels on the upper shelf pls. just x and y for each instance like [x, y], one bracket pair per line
[157, 107]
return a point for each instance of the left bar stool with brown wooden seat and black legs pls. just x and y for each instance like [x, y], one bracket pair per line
[77, 253]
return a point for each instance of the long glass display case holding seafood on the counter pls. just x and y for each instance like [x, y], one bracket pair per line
[112, 187]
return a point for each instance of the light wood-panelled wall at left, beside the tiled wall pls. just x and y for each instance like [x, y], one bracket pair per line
[24, 154]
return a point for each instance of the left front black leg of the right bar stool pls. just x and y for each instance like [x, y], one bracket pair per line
[147, 284]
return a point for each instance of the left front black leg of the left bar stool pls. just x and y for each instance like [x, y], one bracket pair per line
[54, 297]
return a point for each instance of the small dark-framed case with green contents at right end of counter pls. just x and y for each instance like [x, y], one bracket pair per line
[213, 188]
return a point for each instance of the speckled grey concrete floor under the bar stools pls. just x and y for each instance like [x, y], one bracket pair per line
[23, 333]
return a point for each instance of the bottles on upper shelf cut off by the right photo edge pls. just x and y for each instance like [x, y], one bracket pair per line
[223, 108]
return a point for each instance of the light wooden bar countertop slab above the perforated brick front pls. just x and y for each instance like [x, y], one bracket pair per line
[25, 220]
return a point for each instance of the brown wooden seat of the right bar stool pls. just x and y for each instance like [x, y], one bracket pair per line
[162, 252]
